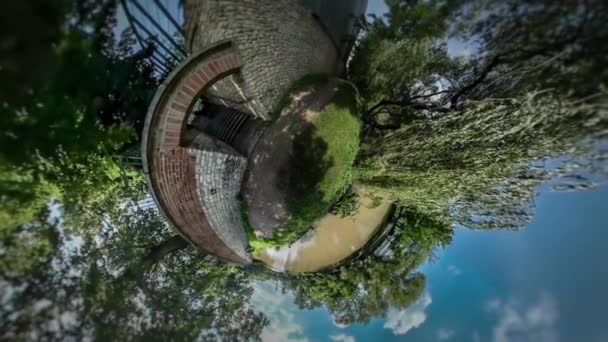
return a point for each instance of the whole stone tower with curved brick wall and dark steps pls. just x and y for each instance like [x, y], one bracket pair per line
[244, 54]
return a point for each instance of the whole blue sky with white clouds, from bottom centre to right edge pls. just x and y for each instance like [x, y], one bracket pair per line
[546, 282]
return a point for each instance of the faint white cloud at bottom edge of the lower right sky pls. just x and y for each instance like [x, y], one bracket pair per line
[519, 323]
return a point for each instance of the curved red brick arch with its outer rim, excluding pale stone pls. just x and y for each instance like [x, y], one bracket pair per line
[170, 166]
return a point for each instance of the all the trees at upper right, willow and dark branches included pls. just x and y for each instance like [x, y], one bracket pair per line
[470, 138]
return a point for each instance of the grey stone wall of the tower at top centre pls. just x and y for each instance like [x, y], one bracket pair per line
[279, 41]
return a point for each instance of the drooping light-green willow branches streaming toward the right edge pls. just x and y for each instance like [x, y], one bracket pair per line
[477, 167]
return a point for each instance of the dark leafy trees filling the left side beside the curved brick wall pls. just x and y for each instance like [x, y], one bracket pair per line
[80, 258]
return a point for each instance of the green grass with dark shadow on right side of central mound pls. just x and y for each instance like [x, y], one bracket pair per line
[323, 160]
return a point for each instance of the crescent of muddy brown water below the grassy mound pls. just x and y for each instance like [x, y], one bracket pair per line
[333, 240]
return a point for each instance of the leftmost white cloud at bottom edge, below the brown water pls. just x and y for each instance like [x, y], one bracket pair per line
[283, 325]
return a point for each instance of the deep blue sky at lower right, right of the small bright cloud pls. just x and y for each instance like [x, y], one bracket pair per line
[488, 281]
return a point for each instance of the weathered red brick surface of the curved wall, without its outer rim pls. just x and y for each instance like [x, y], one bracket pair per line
[174, 170]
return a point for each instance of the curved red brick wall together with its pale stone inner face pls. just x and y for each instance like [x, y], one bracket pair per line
[174, 170]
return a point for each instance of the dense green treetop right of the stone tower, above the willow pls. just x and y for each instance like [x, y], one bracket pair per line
[401, 51]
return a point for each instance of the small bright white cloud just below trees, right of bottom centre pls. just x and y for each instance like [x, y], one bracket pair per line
[402, 321]
